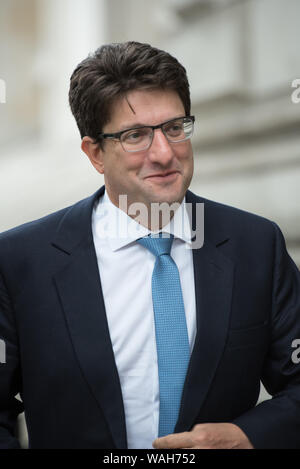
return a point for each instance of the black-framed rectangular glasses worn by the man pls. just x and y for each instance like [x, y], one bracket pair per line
[140, 138]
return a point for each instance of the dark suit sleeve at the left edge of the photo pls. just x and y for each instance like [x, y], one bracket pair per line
[10, 380]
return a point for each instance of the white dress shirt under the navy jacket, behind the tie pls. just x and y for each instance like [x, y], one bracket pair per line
[125, 271]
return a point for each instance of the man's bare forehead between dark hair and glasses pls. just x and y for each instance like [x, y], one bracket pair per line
[144, 107]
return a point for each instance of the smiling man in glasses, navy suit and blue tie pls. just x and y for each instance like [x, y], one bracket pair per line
[82, 305]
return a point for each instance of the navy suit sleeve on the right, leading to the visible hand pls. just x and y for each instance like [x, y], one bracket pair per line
[275, 423]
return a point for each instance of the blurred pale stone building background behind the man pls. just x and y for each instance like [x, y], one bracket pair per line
[242, 57]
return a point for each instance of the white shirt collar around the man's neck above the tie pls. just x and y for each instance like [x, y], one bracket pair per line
[119, 229]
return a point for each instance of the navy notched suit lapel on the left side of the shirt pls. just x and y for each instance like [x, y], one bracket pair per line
[79, 288]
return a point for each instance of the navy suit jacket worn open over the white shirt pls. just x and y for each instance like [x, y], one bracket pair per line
[59, 355]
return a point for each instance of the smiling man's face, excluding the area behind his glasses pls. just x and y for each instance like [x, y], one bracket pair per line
[163, 172]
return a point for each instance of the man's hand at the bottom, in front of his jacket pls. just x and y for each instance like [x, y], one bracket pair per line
[206, 436]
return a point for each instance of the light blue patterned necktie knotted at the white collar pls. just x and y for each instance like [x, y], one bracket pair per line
[172, 343]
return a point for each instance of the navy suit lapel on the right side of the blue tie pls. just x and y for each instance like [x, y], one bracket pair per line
[213, 274]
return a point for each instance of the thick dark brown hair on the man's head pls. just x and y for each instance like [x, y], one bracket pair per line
[115, 69]
